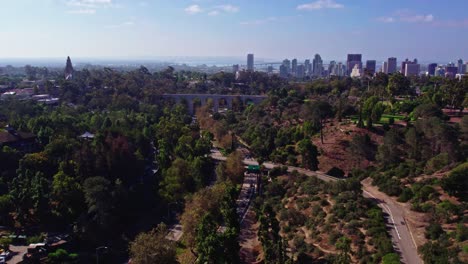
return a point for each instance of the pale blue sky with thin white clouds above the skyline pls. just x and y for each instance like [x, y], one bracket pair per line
[274, 29]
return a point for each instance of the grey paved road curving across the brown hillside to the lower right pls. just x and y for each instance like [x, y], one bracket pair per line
[401, 235]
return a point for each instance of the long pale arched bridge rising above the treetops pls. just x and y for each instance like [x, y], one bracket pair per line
[190, 100]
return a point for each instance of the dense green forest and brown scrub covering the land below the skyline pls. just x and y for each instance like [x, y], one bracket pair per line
[146, 160]
